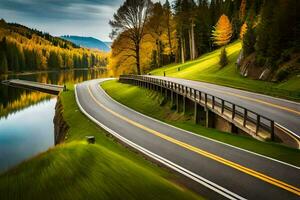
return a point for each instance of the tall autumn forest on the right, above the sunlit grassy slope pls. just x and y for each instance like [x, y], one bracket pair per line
[150, 35]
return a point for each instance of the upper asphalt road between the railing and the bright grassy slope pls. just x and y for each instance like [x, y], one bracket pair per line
[284, 112]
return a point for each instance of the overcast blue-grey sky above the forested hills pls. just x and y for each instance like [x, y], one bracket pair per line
[62, 17]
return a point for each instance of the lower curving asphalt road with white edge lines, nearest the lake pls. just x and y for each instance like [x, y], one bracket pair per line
[227, 171]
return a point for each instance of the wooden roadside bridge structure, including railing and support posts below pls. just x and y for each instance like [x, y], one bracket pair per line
[214, 111]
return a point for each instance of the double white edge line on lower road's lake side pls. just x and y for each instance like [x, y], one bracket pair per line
[218, 189]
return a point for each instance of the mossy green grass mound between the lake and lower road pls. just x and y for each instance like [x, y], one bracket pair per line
[77, 170]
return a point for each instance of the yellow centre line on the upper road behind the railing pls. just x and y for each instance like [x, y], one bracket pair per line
[256, 100]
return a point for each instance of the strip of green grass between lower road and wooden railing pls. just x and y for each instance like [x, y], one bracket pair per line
[132, 97]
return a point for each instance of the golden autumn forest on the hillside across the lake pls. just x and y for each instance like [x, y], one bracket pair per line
[24, 49]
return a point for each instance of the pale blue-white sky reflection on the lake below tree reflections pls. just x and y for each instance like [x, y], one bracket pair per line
[24, 134]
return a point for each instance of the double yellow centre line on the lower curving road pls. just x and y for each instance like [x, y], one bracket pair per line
[219, 159]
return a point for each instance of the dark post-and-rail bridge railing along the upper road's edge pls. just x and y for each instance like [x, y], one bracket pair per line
[221, 106]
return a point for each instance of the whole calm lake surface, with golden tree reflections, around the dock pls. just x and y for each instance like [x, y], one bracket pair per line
[26, 117]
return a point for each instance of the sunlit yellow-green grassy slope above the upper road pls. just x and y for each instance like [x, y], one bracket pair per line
[207, 69]
